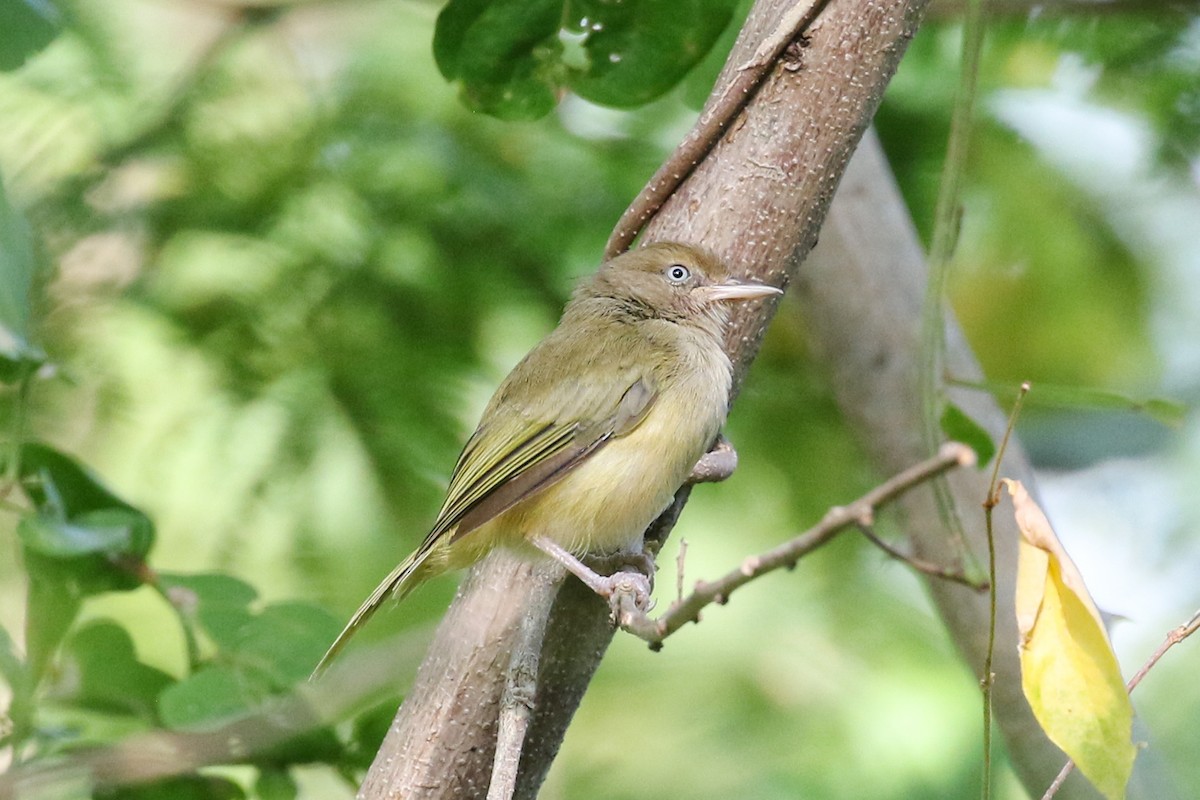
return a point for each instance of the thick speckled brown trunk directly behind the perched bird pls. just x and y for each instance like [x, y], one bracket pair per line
[759, 201]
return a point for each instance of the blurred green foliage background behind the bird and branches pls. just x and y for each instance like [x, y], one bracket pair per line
[277, 267]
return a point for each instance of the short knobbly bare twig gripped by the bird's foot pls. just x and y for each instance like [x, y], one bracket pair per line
[837, 520]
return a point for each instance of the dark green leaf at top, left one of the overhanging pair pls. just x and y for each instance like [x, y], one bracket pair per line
[506, 53]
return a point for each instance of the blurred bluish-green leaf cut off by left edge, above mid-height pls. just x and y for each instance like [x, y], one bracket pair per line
[19, 357]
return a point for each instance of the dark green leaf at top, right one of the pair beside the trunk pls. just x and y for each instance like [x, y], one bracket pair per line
[639, 51]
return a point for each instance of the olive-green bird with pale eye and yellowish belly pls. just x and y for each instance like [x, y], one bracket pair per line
[592, 434]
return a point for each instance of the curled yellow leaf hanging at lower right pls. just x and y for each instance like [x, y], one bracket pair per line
[1070, 673]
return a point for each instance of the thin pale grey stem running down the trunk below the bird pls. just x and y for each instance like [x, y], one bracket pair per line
[520, 691]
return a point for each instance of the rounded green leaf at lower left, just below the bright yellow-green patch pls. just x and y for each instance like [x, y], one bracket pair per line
[110, 675]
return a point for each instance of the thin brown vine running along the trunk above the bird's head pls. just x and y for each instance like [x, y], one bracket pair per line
[711, 127]
